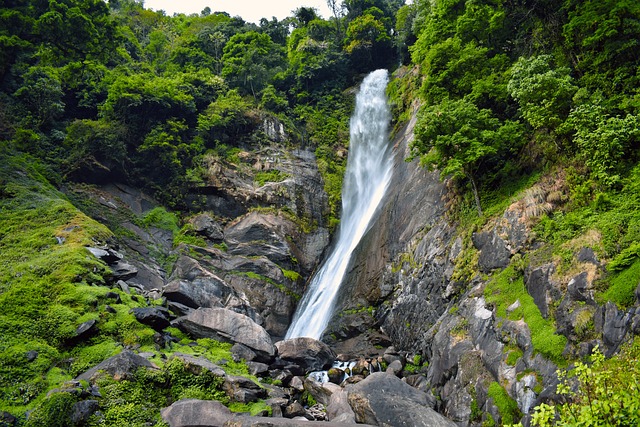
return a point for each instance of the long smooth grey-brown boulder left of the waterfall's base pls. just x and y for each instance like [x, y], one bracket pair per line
[226, 325]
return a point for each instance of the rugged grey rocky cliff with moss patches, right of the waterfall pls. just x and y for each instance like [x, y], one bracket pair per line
[430, 288]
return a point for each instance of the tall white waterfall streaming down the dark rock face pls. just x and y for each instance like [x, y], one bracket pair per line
[369, 168]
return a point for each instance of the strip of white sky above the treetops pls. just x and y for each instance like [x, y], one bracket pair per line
[249, 10]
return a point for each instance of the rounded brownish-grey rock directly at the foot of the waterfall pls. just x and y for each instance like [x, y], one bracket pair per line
[308, 353]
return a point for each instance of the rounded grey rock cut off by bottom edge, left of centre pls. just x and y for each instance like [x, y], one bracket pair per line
[196, 413]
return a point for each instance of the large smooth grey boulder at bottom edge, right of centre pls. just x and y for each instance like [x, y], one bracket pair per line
[399, 404]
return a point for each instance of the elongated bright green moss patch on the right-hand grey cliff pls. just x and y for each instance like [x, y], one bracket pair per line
[503, 290]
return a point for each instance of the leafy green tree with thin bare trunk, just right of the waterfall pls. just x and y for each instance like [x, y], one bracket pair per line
[458, 138]
